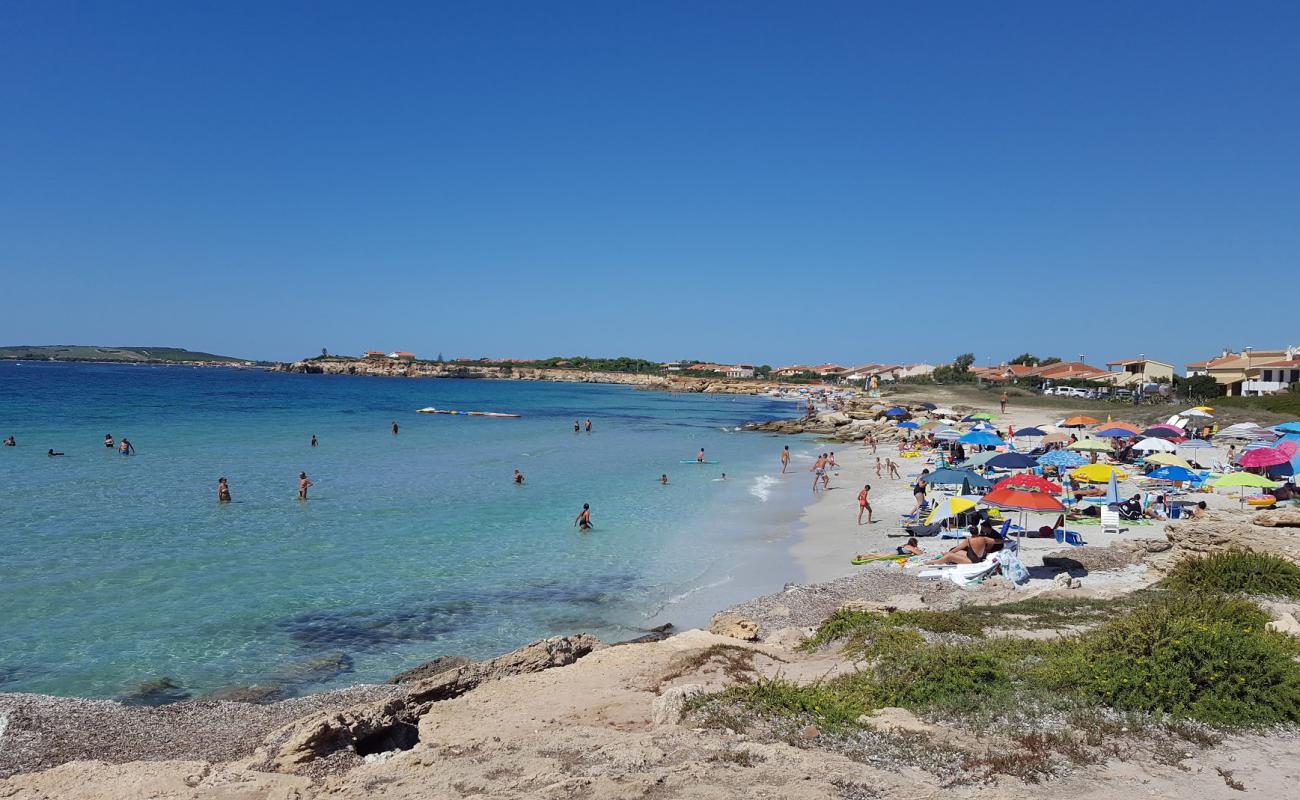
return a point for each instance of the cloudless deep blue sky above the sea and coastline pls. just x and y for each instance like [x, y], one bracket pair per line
[769, 183]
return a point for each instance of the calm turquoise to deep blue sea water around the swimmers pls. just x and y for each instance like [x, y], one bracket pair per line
[118, 570]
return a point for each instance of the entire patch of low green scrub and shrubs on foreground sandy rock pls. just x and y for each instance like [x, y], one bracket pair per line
[1186, 661]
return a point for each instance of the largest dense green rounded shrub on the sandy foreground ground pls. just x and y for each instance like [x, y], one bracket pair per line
[1203, 658]
